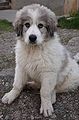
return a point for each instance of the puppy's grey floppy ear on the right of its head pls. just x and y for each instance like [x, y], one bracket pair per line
[51, 26]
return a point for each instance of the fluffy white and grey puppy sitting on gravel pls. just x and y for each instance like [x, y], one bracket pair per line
[41, 57]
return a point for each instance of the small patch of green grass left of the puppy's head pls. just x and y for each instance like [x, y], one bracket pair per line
[6, 26]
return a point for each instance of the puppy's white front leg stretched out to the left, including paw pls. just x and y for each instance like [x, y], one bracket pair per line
[19, 82]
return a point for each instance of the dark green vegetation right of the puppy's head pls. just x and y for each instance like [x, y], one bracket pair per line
[71, 22]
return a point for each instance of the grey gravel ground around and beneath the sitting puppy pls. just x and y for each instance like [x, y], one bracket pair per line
[26, 106]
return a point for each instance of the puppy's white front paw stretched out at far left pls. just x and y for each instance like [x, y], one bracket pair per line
[9, 97]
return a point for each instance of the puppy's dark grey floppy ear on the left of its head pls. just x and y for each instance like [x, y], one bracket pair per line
[18, 27]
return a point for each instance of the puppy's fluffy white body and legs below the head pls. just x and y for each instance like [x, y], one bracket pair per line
[49, 65]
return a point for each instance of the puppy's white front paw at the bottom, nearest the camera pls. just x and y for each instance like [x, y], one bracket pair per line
[46, 109]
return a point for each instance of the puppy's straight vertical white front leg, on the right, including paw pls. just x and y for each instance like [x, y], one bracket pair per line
[47, 87]
